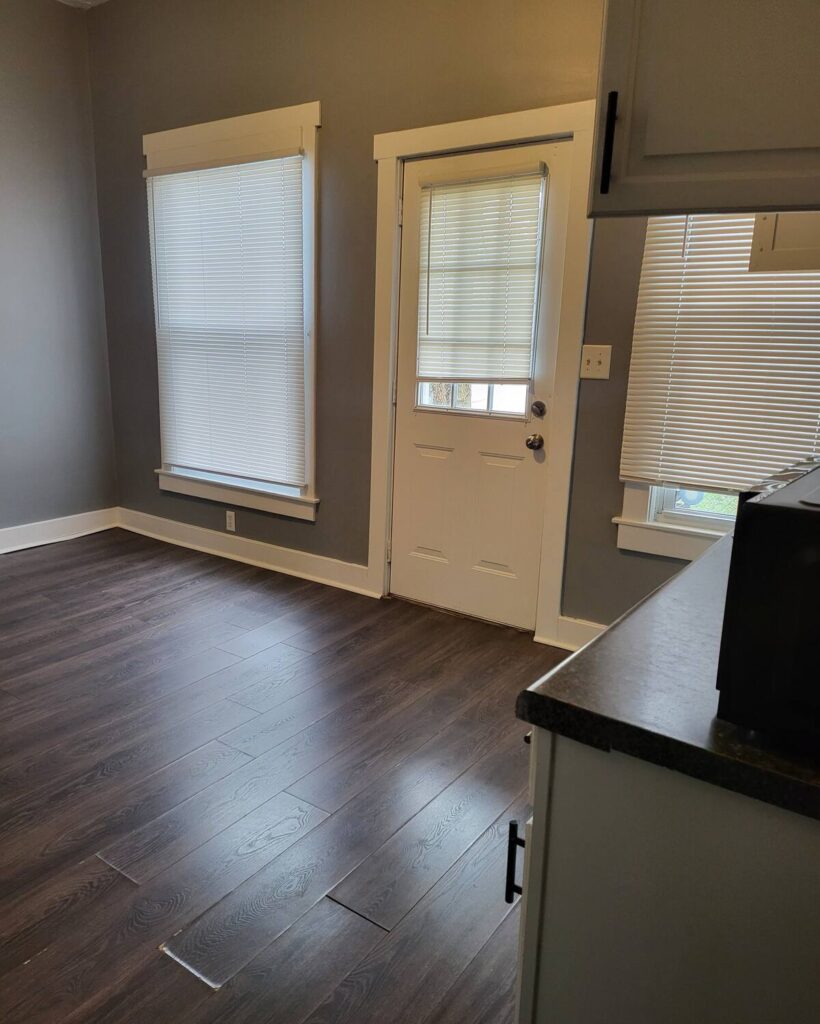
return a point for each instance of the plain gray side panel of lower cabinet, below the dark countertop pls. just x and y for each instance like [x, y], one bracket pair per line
[651, 898]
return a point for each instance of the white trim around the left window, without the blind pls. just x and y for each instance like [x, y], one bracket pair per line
[255, 137]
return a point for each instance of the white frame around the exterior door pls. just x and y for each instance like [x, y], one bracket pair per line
[574, 122]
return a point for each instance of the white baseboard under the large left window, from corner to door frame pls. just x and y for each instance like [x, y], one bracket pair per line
[347, 576]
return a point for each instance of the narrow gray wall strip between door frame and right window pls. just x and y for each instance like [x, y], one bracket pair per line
[600, 581]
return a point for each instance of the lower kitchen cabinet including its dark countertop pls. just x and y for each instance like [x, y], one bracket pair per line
[671, 872]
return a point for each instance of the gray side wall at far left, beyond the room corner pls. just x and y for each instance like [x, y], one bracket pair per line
[57, 447]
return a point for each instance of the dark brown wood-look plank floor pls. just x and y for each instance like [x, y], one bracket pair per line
[233, 796]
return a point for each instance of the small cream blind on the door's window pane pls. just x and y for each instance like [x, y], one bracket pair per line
[479, 279]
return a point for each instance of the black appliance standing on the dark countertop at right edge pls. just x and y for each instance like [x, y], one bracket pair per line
[769, 668]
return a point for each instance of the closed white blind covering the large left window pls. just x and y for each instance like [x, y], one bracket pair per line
[227, 247]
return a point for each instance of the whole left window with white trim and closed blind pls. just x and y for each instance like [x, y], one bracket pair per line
[233, 261]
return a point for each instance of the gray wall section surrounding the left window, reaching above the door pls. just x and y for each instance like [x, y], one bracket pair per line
[376, 66]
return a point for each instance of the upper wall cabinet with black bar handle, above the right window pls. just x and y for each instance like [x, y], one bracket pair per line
[709, 106]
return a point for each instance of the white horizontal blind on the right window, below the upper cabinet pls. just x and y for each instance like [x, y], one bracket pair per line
[725, 377]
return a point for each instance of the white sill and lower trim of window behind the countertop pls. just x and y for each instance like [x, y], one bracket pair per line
[640, 531]
